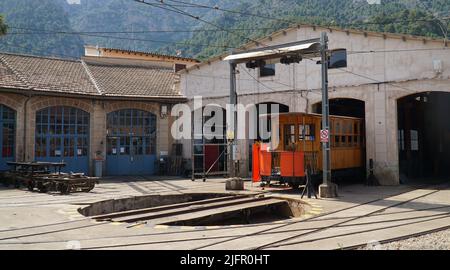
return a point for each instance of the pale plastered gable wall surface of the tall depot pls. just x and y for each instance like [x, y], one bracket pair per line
[384, 78]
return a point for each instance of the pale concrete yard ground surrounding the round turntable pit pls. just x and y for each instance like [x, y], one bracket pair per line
[361, 215]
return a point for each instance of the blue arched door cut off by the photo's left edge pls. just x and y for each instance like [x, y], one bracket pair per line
[7, 135]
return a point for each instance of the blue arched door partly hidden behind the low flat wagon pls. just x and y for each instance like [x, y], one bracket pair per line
[62, 135]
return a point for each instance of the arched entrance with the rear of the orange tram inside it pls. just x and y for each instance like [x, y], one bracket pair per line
[347, 139]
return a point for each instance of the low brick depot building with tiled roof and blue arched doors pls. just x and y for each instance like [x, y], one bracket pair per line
[112, 105]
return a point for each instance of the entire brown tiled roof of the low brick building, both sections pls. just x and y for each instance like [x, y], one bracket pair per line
[127, 78]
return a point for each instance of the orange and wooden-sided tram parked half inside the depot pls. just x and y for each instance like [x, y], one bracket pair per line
[299, 148]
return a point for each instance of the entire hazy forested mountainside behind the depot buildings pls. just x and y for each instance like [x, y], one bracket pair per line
[55, 27]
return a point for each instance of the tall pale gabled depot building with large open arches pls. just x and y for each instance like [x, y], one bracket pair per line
[399, 84]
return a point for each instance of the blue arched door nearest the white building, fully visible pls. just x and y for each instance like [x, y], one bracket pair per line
[131, 143]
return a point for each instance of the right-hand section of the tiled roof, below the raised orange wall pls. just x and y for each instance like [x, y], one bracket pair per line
[132, 78]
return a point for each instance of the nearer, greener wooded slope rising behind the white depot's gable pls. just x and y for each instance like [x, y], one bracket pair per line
[397, 16]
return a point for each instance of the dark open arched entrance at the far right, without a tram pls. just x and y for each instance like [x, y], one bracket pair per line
[424, 136]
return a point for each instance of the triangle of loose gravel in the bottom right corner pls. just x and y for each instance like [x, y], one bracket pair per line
[433, 241]
